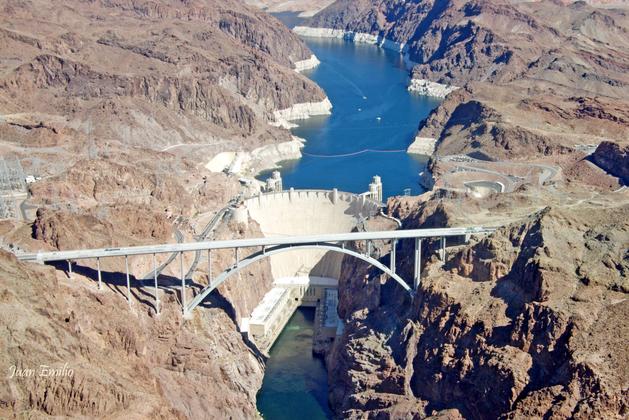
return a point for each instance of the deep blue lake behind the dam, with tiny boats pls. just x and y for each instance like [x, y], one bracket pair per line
[373, 121]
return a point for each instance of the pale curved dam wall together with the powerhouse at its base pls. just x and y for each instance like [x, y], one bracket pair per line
[303, 277]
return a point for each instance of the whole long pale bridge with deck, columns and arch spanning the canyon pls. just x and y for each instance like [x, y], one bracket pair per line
[263, 248]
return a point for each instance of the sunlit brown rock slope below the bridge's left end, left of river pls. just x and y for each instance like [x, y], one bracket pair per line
[125, 362]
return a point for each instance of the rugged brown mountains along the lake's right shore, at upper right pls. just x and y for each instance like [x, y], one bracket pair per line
[557, 81]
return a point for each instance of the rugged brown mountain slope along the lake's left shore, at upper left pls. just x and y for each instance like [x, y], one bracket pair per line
[230, 90]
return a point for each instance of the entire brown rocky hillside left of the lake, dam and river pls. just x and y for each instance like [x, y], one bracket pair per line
[118, 106]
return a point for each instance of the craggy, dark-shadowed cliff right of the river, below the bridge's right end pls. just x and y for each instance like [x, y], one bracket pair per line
[525, 323]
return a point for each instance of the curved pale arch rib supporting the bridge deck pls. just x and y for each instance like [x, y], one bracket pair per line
[257, 256]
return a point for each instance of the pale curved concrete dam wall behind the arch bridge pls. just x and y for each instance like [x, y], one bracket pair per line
[305, 212]
